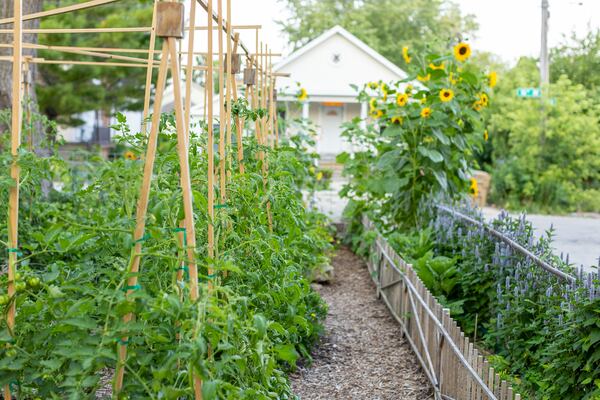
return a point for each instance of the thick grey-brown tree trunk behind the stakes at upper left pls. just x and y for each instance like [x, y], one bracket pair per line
[6, 11]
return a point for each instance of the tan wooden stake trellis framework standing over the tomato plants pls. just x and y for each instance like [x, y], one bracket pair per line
[168, 26]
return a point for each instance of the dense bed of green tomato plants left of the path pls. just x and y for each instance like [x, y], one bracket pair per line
[241, 337]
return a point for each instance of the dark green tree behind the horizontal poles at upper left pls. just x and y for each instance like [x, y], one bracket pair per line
[65, 91]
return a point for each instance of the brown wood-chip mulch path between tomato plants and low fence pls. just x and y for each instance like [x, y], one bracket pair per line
[362, 354]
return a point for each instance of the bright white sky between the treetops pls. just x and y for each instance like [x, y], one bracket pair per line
[508, 28]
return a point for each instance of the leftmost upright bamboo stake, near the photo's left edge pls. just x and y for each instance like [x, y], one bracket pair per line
[13, 192]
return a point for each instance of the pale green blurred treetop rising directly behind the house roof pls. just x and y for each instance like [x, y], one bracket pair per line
[385, 25]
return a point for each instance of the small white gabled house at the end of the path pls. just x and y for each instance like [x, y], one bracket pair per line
[326, 67]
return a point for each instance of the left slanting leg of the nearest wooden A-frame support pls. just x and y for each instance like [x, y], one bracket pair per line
[142, 207]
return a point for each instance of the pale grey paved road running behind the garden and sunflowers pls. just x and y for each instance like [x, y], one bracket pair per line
[574, 235]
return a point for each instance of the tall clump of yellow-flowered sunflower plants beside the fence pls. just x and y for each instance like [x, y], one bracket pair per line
[420, 144]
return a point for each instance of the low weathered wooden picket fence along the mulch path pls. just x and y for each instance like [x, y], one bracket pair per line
[454, 366]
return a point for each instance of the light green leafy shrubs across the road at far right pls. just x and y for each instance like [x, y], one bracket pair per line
[545, 151]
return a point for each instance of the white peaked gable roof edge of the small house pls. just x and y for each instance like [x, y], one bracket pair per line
[338, 30]
